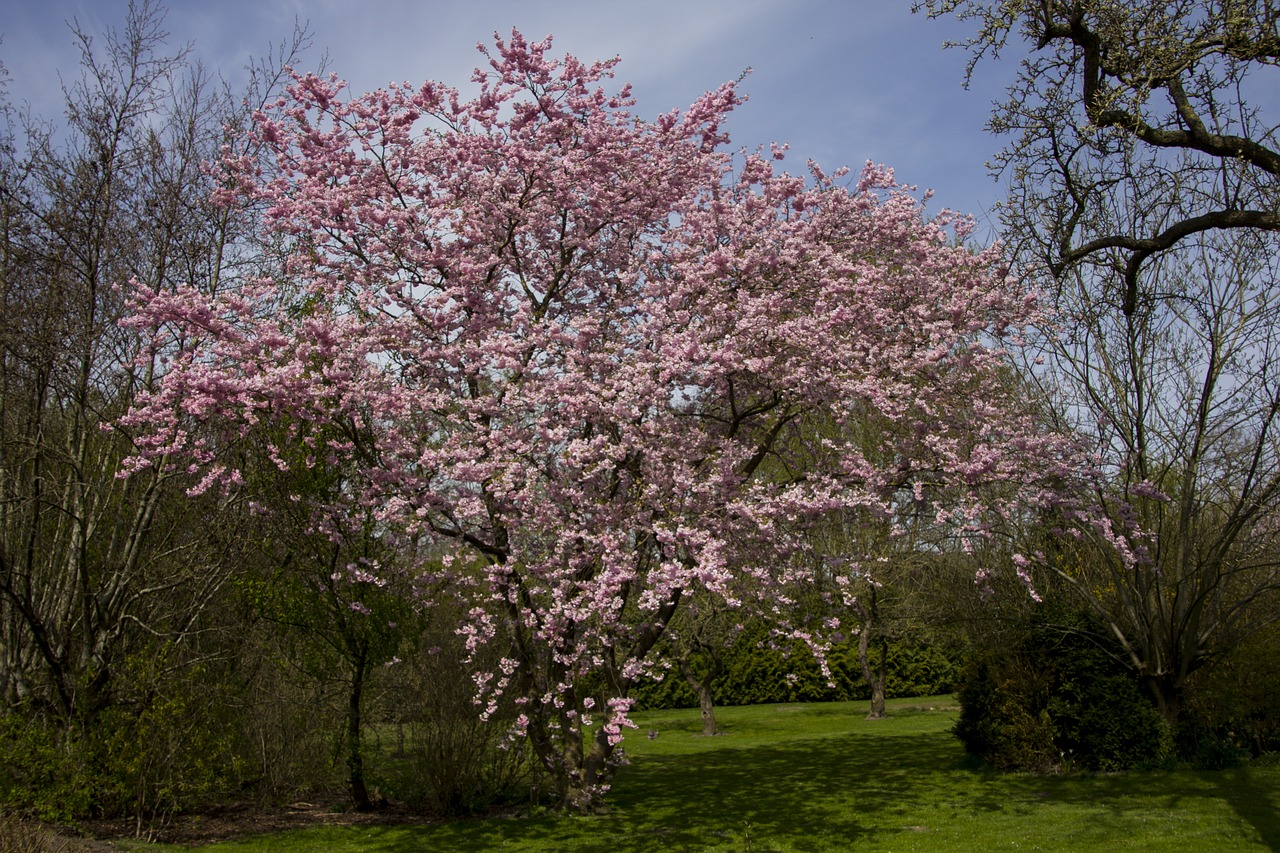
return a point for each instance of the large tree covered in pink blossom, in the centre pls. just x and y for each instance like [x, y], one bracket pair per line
[564, 341]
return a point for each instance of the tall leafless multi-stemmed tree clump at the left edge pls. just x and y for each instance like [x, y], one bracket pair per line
[90, 564]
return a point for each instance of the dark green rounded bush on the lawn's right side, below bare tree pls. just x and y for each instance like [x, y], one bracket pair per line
[1055, 697]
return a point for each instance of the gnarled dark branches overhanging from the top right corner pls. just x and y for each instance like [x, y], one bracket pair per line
[1140, 127]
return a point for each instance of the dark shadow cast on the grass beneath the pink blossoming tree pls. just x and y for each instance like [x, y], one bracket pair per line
[732, 799]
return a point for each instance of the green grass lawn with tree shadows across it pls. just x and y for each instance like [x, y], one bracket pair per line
[817, 778]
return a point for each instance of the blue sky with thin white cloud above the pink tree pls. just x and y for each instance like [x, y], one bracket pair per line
[840, 81]
